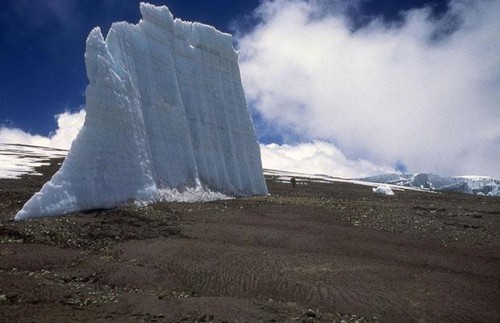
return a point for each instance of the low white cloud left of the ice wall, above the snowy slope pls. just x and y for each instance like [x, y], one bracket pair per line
[68, 126]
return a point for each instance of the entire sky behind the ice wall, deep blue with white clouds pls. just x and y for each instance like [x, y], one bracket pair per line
[344, 87]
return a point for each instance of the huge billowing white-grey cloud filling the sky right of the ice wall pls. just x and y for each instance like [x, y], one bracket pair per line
[424, 91]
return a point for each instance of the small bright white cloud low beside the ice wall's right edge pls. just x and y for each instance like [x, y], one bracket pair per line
[317, 158]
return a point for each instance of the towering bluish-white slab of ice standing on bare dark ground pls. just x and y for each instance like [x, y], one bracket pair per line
[165, 110]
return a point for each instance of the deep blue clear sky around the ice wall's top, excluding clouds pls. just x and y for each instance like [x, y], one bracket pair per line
[43, 41]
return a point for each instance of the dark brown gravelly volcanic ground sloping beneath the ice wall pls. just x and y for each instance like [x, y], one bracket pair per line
[316, 252]
